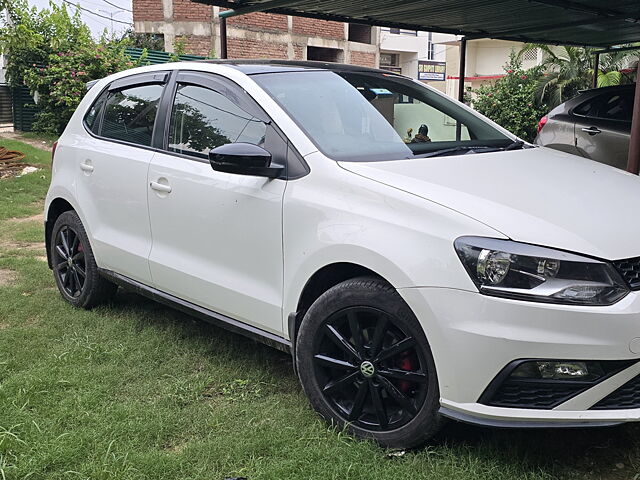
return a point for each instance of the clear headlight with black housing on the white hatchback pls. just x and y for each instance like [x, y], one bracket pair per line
[517, 270]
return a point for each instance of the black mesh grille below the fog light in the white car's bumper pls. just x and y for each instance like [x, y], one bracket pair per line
[534, 394]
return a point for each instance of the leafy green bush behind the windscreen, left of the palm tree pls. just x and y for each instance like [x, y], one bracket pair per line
[510, 101]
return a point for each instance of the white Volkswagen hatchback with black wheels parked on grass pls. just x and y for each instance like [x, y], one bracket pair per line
[419, 261]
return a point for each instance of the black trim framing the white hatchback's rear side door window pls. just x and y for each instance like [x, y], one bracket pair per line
[151, 78]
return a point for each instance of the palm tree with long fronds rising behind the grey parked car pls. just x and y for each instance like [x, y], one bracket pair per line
[570, 69]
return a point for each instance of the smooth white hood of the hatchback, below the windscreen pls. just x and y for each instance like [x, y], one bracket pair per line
[536, 195]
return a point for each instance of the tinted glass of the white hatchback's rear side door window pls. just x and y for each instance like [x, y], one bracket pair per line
[130, 114]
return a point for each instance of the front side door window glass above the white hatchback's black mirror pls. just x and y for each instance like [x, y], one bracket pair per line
[202, 119]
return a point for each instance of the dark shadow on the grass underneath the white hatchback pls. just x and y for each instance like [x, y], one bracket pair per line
[607, 452]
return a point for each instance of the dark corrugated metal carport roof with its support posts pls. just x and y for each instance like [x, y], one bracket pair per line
[564, 22]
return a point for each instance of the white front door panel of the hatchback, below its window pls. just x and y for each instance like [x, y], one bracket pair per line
[217, 239]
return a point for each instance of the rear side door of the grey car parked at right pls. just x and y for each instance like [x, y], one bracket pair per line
[602, 130]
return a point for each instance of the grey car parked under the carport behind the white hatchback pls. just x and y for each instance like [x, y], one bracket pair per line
[596, 124]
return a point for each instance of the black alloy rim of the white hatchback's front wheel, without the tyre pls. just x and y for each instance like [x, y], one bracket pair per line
[370, 370]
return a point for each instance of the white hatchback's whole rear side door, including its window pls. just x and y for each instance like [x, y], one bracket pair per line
[112, 173]
